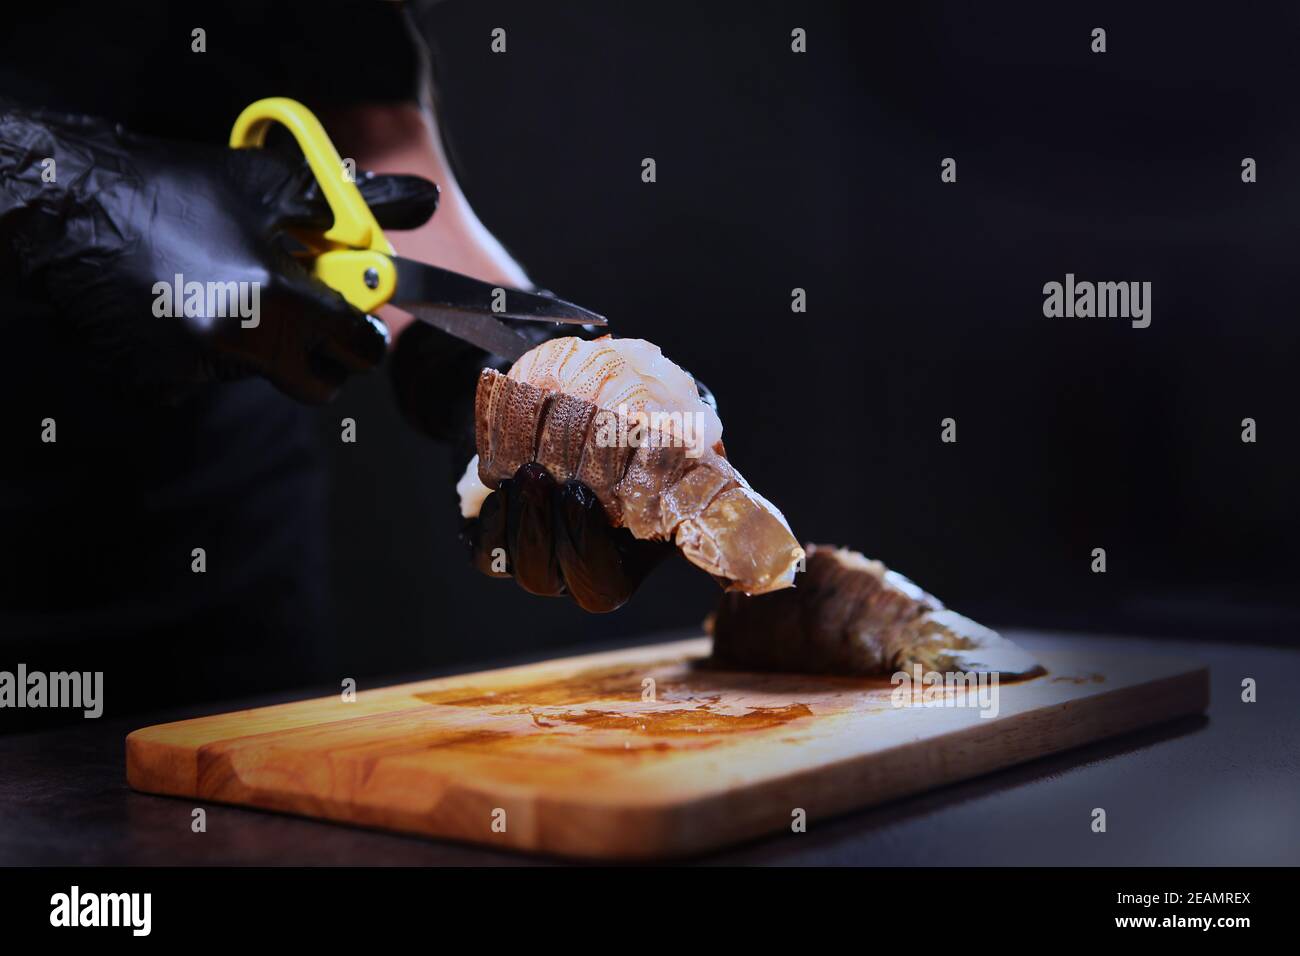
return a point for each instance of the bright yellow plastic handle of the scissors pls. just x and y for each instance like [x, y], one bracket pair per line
[358, 258]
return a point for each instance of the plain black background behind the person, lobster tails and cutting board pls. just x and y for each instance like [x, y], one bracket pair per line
[925, 300]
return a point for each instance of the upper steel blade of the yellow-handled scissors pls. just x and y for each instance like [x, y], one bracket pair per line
[421, 283]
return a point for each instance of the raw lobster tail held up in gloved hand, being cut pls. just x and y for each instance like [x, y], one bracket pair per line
[622, 419]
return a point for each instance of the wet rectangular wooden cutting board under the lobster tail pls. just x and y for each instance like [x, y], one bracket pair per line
[638, 754]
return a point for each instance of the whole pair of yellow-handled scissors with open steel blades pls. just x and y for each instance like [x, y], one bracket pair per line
[356, 258]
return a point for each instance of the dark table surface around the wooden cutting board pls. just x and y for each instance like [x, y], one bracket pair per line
[1215, 790]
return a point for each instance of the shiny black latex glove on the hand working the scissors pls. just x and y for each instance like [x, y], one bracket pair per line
[127, 213]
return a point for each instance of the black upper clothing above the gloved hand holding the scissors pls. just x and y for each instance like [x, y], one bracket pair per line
[136, 63]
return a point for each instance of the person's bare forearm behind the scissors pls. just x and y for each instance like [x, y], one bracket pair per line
[400, 139]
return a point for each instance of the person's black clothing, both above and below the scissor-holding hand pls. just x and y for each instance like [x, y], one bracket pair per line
[99, 529]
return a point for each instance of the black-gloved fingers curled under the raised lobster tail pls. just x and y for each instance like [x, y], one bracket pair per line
[557, 540]
